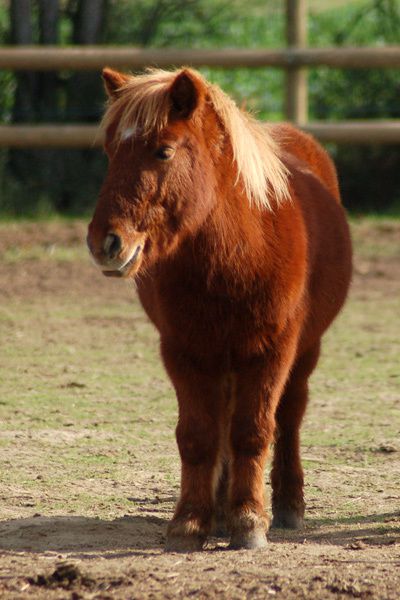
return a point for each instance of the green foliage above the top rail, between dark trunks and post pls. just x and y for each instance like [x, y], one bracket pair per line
[195, 23]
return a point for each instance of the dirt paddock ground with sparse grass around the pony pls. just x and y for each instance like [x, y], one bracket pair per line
[90, 470]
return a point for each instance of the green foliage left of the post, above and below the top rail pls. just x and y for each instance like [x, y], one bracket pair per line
[210, 24]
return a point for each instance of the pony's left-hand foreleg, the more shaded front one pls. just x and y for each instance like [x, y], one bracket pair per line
[197, 435]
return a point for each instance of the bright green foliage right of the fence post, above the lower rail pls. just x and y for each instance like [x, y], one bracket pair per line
[356, 93]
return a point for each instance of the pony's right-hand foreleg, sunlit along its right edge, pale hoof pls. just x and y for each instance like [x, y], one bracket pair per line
[259, 386]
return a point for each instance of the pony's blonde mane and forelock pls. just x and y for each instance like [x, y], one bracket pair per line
[144, 105]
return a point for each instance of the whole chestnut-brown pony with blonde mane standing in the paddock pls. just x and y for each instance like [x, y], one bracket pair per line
[241, 252]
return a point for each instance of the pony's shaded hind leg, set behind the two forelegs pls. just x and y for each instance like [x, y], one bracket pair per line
[287, 473]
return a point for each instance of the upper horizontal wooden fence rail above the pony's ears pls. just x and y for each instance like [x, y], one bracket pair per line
[89, 58]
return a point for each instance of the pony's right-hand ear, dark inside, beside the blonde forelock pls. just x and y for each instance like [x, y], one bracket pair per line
[186, 93]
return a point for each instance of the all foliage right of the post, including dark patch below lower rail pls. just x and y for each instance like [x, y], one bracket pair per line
[370, 177]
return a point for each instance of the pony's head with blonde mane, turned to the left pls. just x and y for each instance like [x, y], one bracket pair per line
[172, 139]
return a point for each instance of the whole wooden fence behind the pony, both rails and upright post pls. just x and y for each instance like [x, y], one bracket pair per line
[295, 59]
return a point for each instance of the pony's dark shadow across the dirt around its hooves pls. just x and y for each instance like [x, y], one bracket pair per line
[137, 534]
